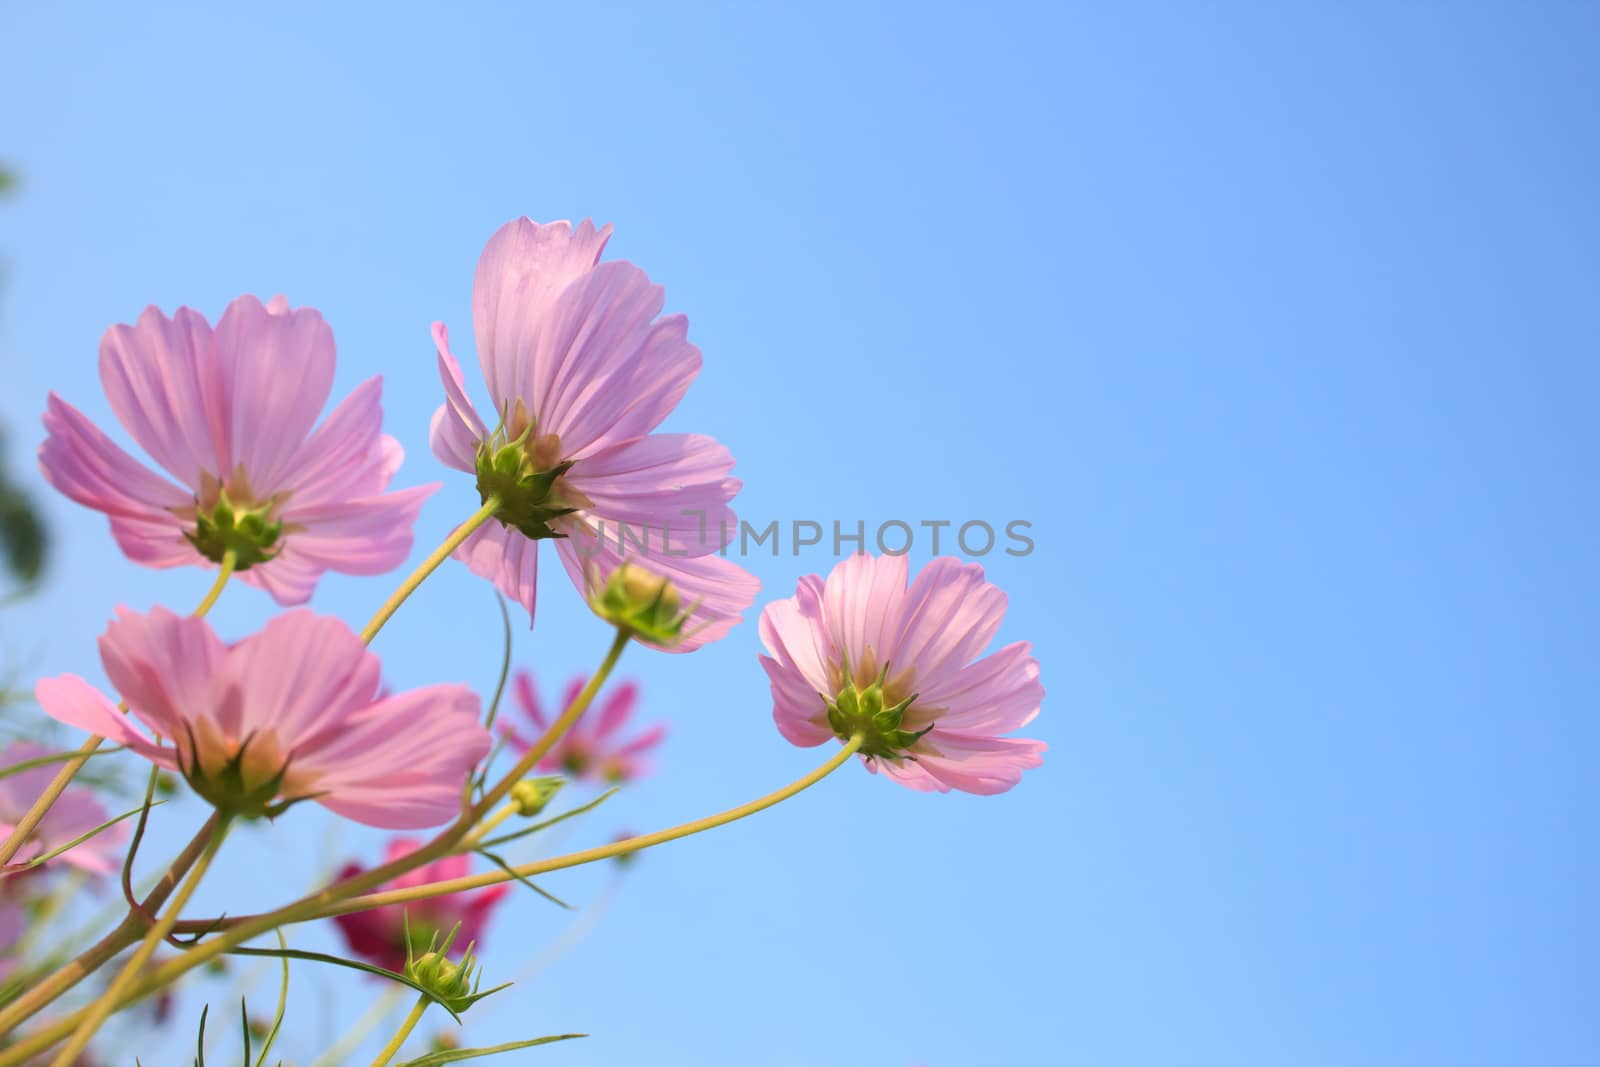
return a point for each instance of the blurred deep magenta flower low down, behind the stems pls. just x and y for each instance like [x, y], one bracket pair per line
[378, 935]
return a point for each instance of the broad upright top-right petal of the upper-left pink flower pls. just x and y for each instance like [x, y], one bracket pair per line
[278, 372]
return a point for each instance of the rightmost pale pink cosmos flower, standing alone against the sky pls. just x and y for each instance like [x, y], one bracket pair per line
[862, 652]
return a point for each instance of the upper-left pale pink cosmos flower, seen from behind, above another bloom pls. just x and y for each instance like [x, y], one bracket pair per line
[230, 415]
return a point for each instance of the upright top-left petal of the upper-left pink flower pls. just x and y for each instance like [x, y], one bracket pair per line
[169, 393]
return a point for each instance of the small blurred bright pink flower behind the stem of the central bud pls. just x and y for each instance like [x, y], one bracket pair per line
[594, 749]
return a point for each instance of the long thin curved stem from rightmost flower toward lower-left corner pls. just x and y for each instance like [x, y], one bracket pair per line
[319, 906]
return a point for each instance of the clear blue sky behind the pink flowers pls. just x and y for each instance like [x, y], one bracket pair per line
[1279, 326]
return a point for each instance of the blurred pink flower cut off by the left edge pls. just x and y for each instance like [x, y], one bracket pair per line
[76, 813]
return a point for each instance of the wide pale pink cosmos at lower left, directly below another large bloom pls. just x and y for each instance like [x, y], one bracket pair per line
[289, 714]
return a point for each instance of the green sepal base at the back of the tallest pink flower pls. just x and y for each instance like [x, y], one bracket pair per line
[524, 471]
